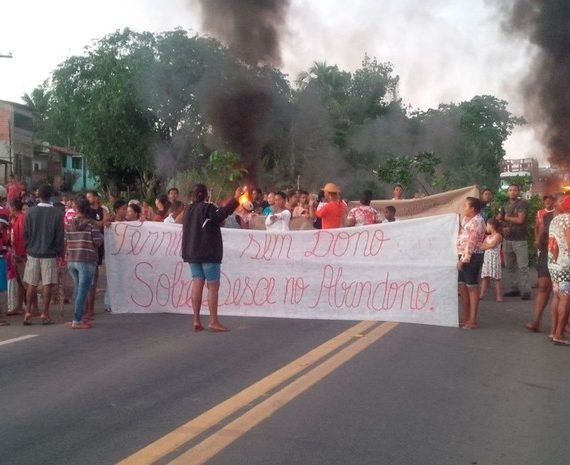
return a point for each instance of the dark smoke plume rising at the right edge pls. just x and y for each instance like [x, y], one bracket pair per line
[546, 88]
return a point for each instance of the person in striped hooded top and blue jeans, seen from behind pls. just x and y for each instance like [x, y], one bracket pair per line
[83, 241]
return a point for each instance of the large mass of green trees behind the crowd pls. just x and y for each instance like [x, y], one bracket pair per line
[139, 107]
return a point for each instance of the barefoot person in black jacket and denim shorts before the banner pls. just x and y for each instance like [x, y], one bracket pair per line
[202, 248]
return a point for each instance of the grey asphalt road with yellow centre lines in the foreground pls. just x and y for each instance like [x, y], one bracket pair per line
[411, 395]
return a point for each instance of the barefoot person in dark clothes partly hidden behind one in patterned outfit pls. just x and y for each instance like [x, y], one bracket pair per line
[544, 282]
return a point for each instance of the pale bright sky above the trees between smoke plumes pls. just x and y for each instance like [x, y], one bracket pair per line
[443, 50]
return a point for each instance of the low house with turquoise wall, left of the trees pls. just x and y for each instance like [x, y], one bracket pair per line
[62, 167]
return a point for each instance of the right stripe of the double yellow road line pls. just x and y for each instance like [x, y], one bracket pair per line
[219, 440]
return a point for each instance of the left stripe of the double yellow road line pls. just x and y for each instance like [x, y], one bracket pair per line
[188, 431]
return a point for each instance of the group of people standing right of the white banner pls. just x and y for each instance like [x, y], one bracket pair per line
[489, 239]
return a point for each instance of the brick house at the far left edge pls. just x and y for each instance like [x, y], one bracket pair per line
[16, 141]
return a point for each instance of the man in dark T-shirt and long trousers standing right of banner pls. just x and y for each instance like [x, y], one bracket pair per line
[514, 216]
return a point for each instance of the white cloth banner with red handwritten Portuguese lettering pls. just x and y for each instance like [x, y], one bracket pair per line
[402, 271]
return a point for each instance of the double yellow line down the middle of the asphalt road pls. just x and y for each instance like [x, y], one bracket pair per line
[347, 345]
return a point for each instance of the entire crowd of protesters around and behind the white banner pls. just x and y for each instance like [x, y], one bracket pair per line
[42, 238]
